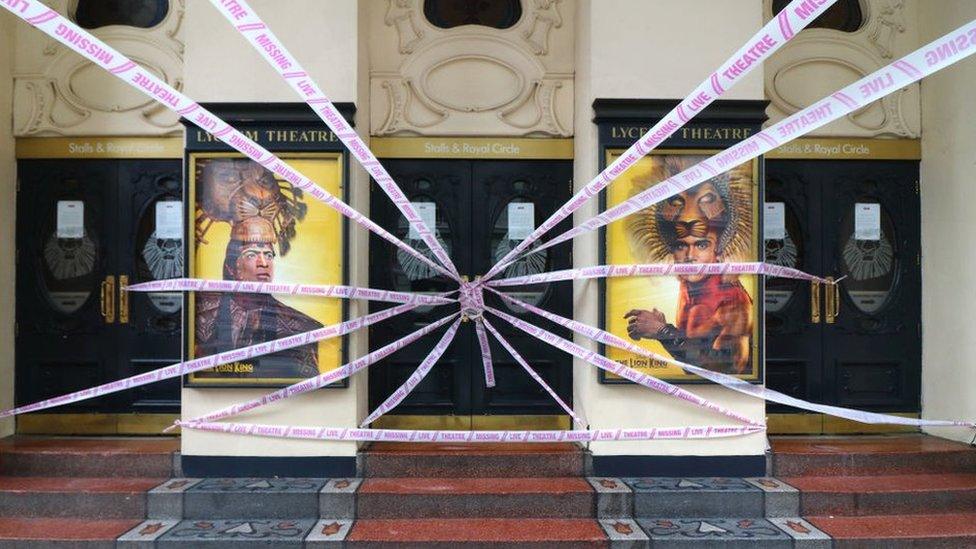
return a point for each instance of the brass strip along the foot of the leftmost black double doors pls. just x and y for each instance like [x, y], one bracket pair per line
[94, 424]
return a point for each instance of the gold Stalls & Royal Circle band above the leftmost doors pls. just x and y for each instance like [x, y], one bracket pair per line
[99, 147]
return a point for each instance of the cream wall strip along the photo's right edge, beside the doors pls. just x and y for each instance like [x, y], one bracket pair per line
[948, 191]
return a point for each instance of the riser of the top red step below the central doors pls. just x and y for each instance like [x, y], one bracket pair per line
[483, 466]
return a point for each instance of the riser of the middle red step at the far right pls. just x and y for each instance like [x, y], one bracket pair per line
[901, 503]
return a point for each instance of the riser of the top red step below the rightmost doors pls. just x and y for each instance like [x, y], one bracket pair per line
[877, 464]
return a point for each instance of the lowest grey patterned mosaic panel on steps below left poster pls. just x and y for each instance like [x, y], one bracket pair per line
[266, 531]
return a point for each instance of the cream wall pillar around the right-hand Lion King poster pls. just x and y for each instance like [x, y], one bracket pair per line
[650, 49]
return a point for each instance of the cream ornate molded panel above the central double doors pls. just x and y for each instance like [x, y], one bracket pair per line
[471, 80]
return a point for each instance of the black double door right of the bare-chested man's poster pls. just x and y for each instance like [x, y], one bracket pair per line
[858, 343]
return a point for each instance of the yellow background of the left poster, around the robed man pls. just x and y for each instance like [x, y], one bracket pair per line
[316, 257]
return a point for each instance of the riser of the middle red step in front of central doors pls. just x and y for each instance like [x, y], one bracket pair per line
[476, 505]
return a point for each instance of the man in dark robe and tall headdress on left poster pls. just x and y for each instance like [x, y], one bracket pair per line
[227, 321]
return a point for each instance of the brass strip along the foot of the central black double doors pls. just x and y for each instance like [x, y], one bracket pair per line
[475, 423]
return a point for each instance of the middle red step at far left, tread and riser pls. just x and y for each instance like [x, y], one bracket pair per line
[102, 498]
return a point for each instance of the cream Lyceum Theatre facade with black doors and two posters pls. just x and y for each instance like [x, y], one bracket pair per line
[489, 115]
